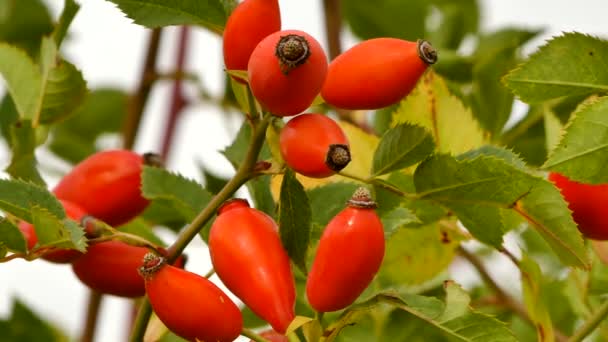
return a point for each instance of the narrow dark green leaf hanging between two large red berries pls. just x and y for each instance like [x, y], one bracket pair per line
[294, 219]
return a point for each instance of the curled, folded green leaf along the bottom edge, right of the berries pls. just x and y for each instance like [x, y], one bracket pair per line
[454, 318]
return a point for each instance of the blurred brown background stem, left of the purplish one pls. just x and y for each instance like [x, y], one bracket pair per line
[138, 100]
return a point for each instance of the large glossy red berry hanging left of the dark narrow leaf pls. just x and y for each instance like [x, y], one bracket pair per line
[248, 256]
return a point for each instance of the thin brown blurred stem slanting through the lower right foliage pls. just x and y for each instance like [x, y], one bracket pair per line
[501, 295]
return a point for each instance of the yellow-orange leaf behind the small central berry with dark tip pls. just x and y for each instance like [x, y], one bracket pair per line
[362, 146]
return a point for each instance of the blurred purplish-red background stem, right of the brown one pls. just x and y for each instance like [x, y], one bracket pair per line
[178, 101]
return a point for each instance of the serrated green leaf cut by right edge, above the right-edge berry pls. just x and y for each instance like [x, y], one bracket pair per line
[582, 152]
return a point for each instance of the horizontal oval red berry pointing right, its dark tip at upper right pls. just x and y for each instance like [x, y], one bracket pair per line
[376, 73]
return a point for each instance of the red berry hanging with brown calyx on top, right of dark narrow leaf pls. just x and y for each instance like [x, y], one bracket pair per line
[349, 254]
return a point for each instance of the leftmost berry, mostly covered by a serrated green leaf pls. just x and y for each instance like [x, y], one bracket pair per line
[59, 256]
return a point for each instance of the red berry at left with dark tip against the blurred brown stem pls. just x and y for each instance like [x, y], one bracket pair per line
[106, 185]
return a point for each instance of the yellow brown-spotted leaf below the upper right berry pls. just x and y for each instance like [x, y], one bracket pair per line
[431, 106]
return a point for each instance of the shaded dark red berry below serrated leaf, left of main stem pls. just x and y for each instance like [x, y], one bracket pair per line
[112, 268]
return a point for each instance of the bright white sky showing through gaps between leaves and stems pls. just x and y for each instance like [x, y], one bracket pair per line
[108, 49]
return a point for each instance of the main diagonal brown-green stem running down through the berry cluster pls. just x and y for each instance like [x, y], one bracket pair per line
[244, 173]
